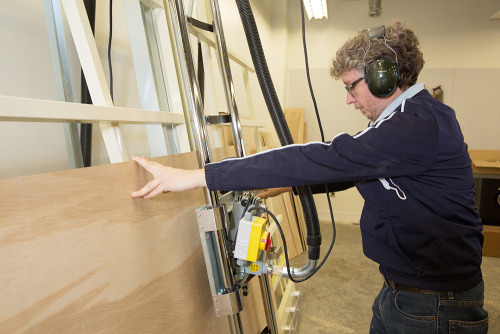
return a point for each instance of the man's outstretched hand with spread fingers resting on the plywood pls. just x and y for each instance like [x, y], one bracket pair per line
[167, 179]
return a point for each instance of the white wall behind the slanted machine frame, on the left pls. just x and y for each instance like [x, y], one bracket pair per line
[26, 70]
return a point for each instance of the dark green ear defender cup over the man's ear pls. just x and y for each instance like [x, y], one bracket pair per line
[382, 77]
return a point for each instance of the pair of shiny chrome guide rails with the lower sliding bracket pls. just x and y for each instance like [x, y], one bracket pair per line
[213, 219]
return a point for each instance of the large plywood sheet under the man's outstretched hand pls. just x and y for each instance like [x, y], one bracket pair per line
[79, 255]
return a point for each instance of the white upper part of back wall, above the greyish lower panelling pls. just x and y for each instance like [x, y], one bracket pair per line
[453, 33]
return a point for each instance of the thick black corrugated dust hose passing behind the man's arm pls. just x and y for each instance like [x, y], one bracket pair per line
[279, 122]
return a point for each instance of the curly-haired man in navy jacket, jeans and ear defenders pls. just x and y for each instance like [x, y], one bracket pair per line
[412, 167]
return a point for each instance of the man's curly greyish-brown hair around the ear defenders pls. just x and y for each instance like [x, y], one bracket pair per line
[398, 36]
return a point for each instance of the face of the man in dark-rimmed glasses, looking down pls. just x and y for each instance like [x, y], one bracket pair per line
[360, 95]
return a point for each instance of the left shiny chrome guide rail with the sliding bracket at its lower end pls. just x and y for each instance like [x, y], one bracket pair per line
[212, 220]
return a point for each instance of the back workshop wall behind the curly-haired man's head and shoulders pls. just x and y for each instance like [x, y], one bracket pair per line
[459, 44]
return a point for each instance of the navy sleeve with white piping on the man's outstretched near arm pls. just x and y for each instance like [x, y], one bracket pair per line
[402, 144]
